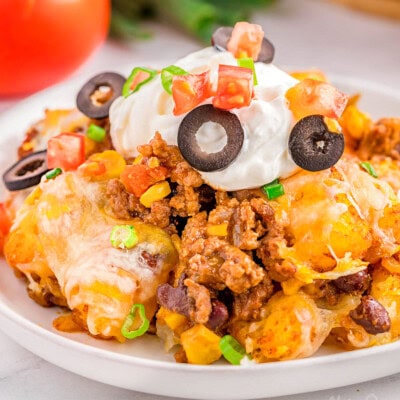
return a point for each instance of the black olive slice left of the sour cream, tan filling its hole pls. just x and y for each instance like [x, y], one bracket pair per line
[97, 94]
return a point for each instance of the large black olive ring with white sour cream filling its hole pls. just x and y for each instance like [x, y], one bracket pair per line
[190, 148]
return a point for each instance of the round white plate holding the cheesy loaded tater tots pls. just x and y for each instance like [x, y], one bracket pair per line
[142, 364]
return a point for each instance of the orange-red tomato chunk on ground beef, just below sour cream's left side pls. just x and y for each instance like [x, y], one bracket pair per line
[137, 178]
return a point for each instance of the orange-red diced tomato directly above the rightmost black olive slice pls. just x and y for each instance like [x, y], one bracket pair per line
[311, 97]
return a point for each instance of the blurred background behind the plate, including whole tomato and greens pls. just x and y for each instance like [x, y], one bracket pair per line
[48, 41]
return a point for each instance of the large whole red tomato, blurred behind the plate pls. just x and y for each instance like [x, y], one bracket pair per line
[43, 41]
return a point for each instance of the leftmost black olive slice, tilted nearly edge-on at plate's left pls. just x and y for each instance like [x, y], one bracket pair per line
[26, 172]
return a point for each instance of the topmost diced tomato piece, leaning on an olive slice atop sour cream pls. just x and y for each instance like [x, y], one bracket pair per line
[246, 40]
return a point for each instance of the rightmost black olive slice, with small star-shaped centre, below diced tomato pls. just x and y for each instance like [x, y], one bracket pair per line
[312, 146]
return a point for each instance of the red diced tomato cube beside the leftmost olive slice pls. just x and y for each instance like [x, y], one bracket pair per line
[66, 151]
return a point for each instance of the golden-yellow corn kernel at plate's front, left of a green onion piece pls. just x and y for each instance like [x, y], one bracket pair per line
[201, 345]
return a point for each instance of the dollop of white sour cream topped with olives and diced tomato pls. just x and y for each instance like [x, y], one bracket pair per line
[266, 122]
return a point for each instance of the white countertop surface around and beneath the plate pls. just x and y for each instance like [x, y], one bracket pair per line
[306, 34]
